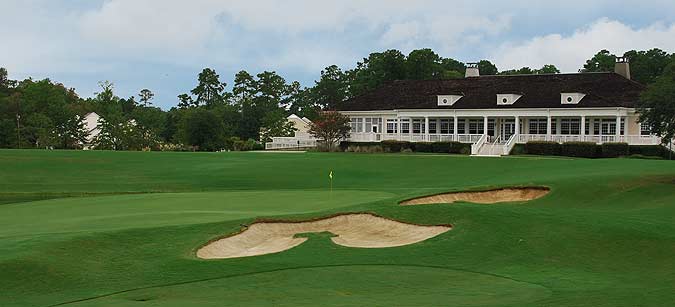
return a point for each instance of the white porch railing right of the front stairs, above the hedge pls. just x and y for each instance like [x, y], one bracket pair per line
[598, 139]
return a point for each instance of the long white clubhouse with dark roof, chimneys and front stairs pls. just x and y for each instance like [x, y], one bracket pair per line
[494, 113]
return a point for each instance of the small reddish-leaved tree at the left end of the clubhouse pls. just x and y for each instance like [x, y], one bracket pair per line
[331, 127]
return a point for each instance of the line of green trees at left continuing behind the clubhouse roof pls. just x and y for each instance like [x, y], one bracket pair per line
[213, 116]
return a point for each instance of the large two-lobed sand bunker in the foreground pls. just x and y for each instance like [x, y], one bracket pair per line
[351, 230]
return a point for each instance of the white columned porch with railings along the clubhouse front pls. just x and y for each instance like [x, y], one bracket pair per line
[504, 127]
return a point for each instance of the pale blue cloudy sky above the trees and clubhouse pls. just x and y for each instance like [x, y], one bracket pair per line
[163, 44]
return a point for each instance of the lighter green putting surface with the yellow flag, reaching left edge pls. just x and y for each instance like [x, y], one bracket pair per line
[155, 210]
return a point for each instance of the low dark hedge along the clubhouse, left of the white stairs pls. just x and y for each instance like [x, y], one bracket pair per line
[400, 146]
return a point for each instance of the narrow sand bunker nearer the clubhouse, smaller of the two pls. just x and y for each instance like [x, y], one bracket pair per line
[482, 197]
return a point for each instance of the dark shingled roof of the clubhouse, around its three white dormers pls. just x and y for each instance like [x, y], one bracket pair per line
[539, 91]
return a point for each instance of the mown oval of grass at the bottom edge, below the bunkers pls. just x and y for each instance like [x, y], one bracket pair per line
[403, 286]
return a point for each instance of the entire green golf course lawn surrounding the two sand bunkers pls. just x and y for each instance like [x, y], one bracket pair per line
[604, 236]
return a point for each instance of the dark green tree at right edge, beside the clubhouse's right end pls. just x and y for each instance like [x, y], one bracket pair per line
[657, 105]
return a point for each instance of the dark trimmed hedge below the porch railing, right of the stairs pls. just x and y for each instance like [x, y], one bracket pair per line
[591, 150]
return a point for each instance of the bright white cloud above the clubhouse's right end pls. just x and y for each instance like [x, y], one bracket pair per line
[570, 52]
